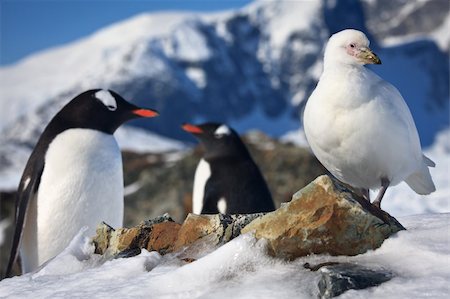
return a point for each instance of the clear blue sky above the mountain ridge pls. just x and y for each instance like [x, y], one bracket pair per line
[27, 26]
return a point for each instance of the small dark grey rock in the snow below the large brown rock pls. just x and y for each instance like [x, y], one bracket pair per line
[338, 278]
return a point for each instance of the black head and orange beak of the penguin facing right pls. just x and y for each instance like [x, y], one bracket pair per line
[102, 110]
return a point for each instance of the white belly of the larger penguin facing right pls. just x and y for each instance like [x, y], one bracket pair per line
[81, 185]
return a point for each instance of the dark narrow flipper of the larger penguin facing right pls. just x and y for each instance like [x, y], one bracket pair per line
[27, 192]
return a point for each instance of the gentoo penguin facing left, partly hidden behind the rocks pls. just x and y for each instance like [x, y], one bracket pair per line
[227, 180]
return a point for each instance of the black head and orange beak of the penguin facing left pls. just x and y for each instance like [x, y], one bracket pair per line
[219, 140]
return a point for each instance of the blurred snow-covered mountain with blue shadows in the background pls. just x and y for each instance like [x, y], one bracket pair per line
[251, 68]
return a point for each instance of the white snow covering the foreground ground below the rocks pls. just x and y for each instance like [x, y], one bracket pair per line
[418, 257]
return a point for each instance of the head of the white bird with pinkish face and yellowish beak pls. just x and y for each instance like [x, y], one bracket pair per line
[350, 47]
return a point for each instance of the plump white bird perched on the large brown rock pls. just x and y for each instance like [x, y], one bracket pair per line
[359, 126]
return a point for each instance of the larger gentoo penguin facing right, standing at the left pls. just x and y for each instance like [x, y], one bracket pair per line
[73, 177]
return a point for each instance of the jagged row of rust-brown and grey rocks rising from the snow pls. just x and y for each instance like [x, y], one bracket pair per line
[325, 217]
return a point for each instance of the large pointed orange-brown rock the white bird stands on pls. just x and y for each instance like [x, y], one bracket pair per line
[325, 217]
